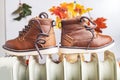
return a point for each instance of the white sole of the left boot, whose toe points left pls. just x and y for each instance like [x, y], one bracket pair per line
[51, 50]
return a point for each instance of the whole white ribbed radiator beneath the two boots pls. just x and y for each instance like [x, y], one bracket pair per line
[14, 68]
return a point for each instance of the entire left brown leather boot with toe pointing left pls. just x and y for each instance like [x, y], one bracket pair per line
[38, 35]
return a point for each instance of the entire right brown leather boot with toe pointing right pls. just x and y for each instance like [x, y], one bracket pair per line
[78, 37]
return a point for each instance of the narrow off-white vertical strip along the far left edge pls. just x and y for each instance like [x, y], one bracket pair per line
[2, 26]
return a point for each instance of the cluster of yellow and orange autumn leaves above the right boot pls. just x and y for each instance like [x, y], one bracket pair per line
[68, 10]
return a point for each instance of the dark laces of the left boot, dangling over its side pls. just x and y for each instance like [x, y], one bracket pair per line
[39, 41]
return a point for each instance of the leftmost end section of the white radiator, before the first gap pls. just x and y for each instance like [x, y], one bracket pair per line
[13, 68]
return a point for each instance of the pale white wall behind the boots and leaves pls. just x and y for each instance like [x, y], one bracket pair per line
[101, 8]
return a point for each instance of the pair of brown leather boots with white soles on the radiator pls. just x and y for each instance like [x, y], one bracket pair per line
[76, 37]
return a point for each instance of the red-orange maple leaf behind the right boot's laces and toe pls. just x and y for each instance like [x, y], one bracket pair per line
[100, 24]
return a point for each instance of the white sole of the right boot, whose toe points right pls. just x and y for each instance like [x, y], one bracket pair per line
[72, 50]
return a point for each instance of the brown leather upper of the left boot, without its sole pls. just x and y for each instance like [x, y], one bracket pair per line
[27, 38]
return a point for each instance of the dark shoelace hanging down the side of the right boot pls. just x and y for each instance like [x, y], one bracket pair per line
[89, 29]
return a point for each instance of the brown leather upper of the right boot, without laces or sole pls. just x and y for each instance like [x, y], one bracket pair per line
[74, 34]
